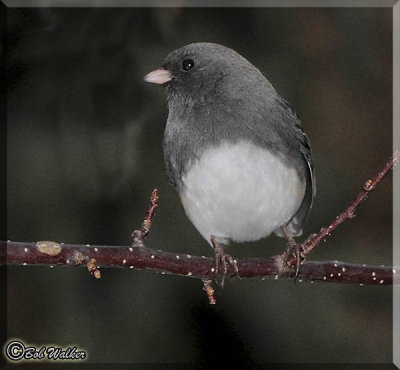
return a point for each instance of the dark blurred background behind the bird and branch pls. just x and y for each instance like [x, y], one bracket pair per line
[84, 153]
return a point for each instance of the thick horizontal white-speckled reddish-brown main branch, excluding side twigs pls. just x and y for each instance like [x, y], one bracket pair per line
[19, 253]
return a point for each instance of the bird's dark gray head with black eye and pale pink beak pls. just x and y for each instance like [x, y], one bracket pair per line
[203, 71]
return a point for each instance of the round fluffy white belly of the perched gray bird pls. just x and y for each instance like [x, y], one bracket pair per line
[240, 192]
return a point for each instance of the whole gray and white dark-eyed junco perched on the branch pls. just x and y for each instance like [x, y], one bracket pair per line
[234, 149]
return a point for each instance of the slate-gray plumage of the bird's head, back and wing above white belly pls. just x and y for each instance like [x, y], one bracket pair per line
[226, 98]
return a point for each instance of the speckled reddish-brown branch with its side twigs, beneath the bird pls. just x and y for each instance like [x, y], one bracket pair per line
[138, 256]
